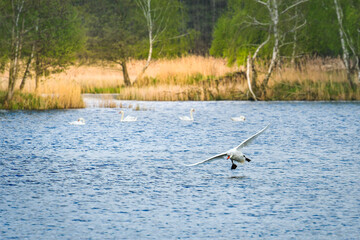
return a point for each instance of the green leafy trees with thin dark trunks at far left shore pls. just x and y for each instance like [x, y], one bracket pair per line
[37, 36]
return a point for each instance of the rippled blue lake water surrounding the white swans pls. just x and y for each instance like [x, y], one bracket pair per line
[116, 180]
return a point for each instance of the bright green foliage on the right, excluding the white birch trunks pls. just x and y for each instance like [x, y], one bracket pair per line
[247, 23]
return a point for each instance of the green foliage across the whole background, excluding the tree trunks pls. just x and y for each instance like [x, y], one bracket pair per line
[117, 29]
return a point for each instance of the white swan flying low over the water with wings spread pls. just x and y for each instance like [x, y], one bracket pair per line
[234, 154]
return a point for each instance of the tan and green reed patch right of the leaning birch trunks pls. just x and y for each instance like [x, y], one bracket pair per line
[312, 80]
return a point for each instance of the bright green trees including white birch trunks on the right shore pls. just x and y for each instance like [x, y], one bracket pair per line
[287, 30]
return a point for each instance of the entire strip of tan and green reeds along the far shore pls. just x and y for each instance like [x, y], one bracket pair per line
[191, 78]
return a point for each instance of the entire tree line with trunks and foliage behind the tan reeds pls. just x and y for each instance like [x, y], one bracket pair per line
[43, 36]
